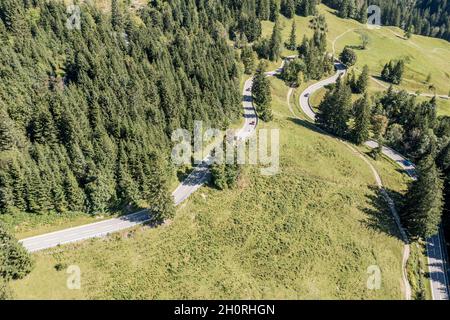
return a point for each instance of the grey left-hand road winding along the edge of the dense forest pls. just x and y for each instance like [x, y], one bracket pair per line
[192, 183]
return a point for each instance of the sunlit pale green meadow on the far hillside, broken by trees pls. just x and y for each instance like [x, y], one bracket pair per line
[423, 55]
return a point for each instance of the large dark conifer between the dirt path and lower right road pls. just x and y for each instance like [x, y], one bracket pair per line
[424, 201]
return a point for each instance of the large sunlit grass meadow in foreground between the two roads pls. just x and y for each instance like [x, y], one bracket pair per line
[309, 232]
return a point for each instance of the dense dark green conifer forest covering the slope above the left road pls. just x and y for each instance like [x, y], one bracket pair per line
[86, 115]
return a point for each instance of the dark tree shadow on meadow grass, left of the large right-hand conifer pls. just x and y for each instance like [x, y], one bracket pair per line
[380, 217]
